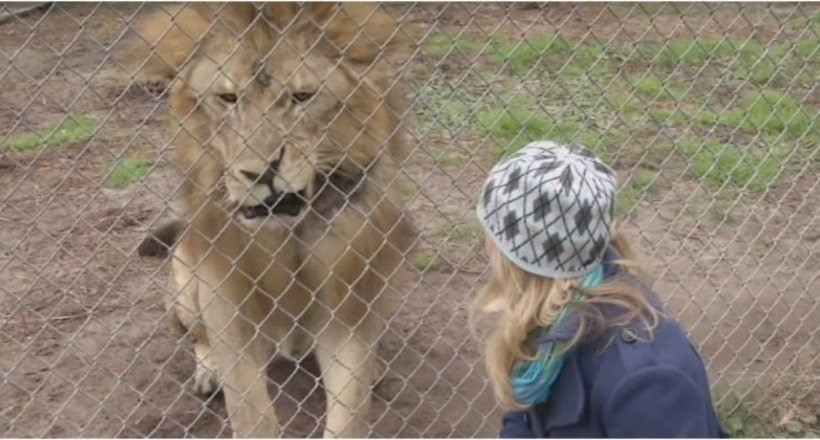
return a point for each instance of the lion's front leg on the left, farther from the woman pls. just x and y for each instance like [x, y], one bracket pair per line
[241, 358]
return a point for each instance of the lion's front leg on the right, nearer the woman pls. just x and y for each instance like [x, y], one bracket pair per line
[348, 365]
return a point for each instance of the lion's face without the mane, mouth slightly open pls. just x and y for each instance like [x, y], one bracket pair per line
[271, 122]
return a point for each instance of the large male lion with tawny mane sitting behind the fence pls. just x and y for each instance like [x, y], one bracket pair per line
[289, 133]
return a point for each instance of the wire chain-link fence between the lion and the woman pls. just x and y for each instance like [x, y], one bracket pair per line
[709, 113]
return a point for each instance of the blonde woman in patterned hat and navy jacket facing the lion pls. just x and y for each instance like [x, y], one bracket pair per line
[582, 348]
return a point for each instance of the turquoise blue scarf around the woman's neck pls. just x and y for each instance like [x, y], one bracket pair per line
[531, 381]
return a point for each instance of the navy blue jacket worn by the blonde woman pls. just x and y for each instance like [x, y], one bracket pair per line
[624, 384]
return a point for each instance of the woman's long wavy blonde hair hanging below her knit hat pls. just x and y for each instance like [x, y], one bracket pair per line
[526, 301]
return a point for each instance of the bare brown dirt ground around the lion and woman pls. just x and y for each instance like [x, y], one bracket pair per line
[85, 349]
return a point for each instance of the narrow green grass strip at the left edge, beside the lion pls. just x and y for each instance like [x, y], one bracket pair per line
[74, 129]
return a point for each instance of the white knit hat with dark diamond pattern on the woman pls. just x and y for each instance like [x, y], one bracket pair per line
[549, 208]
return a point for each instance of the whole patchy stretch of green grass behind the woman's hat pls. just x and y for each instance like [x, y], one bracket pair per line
[603, 108]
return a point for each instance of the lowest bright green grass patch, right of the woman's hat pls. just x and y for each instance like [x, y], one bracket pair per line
[717, 165]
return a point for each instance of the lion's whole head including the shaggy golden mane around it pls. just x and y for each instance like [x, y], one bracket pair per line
[304, 97]
